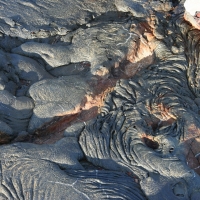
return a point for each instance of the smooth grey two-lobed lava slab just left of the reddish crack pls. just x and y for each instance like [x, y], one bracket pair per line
[56, 97]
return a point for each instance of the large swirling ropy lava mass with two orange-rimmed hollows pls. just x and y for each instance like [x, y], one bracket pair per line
[144, 125]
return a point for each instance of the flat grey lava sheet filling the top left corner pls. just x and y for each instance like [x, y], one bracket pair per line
[43, 19]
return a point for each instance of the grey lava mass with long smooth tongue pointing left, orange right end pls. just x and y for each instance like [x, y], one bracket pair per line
[103, 45]
